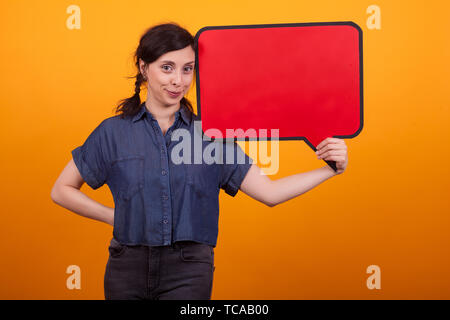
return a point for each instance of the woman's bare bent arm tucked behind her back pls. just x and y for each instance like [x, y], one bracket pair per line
[66, 192]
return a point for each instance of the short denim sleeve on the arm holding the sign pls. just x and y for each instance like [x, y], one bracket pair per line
[234, 168]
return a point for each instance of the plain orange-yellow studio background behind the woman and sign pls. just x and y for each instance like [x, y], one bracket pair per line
[390, 208]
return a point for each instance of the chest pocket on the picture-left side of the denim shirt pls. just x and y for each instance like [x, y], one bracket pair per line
[128, 176]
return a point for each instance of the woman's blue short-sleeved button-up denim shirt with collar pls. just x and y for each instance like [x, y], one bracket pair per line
[159, 200]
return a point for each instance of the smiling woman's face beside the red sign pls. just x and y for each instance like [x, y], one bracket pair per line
[169, 78]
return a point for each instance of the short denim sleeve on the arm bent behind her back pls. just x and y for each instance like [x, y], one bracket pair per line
[91, 158]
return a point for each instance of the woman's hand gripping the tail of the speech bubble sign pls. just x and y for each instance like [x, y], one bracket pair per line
[333, 149]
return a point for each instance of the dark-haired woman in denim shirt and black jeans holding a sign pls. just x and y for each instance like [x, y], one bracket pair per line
[166, 212]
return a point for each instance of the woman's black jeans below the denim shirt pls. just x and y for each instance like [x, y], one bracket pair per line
[181, 271]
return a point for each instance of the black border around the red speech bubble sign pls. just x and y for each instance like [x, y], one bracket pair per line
[253, 26]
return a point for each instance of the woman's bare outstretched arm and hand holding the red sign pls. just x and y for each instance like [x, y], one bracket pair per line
[272, 192]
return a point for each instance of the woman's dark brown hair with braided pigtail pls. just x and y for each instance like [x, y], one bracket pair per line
[155, 42]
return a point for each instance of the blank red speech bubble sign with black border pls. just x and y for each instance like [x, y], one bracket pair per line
[304, 79]
